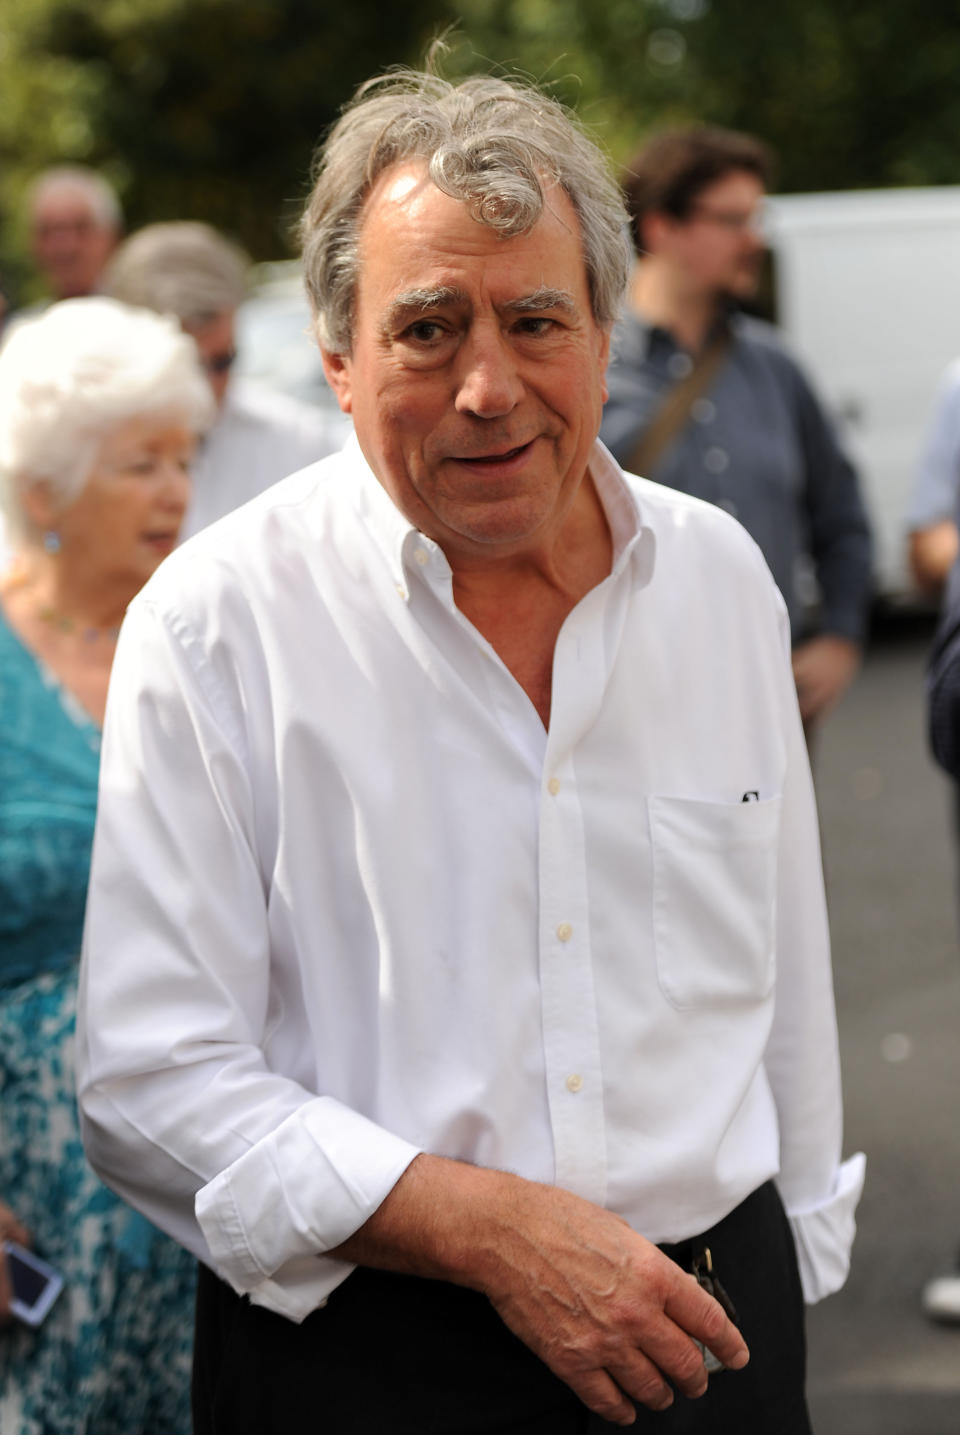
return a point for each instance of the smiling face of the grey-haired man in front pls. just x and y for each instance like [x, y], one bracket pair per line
[477, 372]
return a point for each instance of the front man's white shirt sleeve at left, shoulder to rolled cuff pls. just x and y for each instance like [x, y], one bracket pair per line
[182, 1113]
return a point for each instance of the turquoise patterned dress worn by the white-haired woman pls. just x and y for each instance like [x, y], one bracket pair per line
[114, 1355]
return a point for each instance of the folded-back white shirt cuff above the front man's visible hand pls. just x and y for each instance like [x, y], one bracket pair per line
[295, 1195]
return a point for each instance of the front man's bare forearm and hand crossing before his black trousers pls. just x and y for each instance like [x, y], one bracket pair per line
[603, 1308]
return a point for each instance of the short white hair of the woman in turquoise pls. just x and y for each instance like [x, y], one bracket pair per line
[77, 374]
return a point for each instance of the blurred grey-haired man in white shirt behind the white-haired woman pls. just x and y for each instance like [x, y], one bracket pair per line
[190, 270]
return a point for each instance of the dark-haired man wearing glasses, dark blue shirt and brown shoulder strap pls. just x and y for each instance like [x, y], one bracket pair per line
[708, 401]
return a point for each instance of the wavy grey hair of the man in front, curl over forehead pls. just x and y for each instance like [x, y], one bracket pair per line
[490, 143]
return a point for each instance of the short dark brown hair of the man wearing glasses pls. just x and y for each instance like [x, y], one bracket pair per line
[675, 167]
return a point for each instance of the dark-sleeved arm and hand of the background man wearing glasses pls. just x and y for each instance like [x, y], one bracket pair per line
[842, 547]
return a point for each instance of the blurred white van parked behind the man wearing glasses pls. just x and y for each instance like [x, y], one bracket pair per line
[867, 291]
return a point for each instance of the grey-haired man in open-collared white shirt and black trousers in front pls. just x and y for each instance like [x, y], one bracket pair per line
[457, 977]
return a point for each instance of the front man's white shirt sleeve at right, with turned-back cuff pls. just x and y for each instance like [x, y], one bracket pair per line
[820, 1192]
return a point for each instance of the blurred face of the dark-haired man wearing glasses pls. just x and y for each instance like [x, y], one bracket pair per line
[720, 245]
